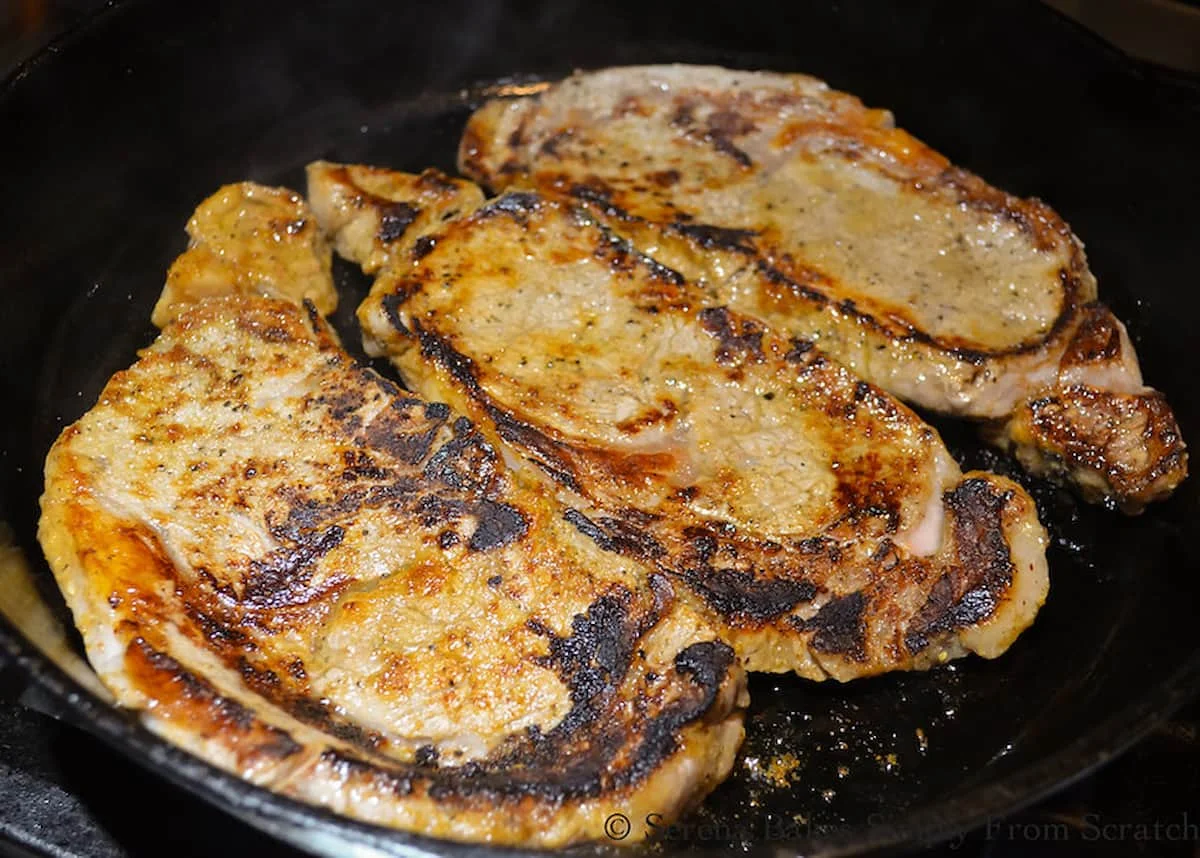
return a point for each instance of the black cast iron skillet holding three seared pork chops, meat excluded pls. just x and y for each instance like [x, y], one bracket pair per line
[118, 130]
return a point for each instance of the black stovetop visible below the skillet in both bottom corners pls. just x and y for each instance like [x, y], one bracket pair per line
[65, 795]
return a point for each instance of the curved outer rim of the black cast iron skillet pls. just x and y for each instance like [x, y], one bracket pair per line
[292, 819]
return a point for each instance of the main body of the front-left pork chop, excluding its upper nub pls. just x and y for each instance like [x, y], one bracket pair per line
[338, 591]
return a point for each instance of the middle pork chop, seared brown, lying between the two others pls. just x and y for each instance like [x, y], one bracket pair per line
[817, 519]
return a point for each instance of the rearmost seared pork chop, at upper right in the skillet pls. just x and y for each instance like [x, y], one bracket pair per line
[797, 206]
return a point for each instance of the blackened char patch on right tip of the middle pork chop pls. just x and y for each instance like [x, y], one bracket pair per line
[975, 587]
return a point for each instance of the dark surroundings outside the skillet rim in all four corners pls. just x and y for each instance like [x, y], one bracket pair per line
[64, 795]
